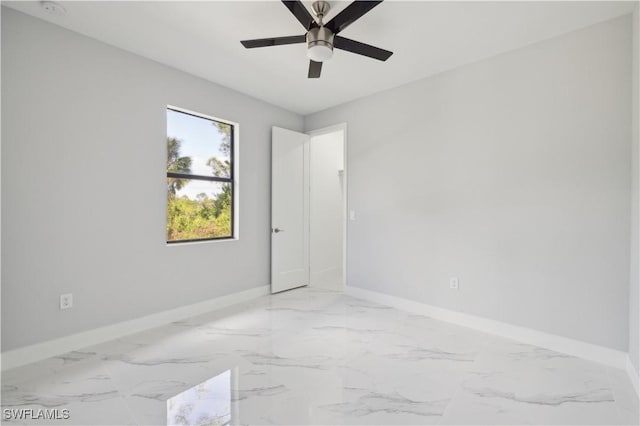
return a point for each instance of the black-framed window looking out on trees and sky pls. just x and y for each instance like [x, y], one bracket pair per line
[200, 177]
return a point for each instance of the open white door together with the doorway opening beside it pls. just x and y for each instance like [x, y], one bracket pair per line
[308, 208]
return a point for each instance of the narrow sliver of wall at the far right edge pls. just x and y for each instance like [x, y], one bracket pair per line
[634, 319]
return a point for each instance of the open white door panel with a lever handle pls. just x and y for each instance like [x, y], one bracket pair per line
[289, 209]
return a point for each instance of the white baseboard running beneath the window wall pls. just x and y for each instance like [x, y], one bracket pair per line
[28, 354]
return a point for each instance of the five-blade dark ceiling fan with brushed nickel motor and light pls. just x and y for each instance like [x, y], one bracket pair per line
[321, 38]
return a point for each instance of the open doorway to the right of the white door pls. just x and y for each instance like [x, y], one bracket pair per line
[327, 208]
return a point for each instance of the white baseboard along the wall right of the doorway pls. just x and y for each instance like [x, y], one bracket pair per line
[601, 354]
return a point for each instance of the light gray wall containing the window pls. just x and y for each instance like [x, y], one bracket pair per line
[83, 185]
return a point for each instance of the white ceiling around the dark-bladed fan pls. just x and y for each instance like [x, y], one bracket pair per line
[203, 39]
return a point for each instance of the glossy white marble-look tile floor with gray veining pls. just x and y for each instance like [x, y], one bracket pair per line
[318, 357]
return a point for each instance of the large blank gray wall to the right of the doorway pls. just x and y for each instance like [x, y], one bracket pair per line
[512, 174]
